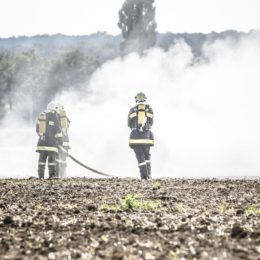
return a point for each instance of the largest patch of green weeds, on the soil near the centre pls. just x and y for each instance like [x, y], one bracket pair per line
[133, 202]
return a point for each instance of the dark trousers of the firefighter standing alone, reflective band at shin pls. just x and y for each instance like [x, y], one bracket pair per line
[143, 156]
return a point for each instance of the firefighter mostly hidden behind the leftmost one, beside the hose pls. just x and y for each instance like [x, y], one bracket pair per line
[62, 159]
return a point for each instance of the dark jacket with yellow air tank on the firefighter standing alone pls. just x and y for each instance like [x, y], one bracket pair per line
[140, 120]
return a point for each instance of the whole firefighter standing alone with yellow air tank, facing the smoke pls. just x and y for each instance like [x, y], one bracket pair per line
[140, 120]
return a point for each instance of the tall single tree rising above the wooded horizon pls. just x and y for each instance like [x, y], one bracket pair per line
[137, 22]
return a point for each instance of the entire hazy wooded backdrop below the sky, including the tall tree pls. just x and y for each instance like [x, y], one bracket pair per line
[34, 69]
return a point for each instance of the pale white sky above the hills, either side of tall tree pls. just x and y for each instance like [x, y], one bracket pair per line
[77, 17]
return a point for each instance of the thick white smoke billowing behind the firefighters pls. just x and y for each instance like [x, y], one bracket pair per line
[206, 114]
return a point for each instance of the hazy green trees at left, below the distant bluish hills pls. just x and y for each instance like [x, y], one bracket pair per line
[29, 80]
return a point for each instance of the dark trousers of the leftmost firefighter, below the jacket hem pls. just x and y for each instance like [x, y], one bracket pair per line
[52, 164]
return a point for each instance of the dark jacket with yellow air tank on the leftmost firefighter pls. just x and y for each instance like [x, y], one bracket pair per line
[49, 131]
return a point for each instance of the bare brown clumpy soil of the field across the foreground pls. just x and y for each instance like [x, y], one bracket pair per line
[83, 218]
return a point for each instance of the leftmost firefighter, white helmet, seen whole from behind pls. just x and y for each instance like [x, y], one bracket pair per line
[50, 136]
